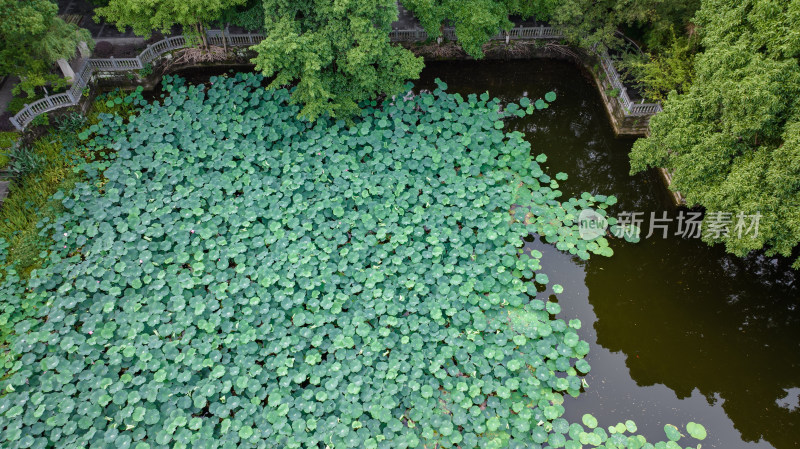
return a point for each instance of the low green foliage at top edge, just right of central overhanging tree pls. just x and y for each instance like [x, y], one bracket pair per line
[475, 21]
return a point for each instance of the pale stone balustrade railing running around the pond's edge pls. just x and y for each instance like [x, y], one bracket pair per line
[219, 37]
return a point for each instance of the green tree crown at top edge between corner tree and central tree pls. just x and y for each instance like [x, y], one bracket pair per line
[146, 16]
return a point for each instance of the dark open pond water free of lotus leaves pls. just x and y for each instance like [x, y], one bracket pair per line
[679, 331]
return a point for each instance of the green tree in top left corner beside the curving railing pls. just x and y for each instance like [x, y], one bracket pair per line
[32, 38]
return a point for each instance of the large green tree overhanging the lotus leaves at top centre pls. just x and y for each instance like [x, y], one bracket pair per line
[337, 52]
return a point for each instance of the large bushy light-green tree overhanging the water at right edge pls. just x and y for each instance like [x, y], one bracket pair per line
[733, 139]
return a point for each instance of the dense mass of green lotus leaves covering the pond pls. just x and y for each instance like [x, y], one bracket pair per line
[232, 276]
